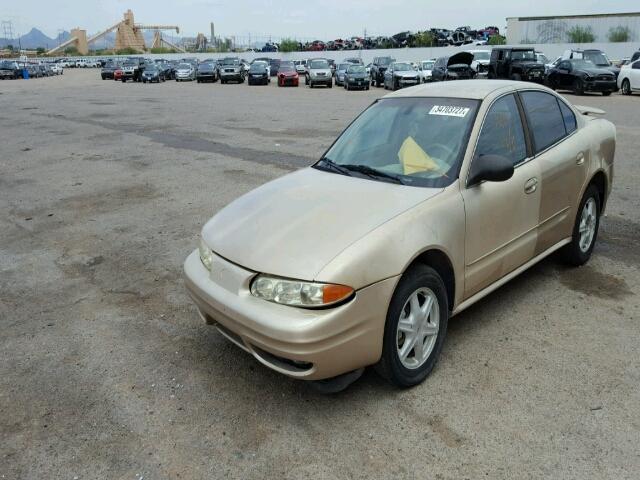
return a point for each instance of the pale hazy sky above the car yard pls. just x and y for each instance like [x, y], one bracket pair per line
[304, 20]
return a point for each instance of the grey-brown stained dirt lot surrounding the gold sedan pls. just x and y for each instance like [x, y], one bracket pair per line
[106, 371]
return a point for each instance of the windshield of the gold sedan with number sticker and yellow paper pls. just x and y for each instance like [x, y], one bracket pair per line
[419, 141]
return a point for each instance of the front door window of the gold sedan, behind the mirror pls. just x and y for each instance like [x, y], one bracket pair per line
[502, 132]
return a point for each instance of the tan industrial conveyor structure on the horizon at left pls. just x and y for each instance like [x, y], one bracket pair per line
[129, 35]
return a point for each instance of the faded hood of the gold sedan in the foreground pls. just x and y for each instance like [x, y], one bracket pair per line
[295, 225]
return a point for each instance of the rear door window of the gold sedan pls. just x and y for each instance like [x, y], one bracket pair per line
[545, 119]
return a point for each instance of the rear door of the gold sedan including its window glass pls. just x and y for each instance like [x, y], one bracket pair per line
[563, 156]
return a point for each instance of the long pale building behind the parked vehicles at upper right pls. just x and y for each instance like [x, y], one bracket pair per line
[603, 28]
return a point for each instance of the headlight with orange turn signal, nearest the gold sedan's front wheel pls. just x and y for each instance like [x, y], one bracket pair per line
[297, 293]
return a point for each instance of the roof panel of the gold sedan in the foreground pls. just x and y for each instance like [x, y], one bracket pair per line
[474, 89]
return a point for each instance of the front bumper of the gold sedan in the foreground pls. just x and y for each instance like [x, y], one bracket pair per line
[301, 343]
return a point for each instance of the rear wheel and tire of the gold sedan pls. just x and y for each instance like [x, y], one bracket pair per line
[585, 229]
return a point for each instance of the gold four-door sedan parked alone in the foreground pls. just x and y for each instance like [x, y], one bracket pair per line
[466, 192]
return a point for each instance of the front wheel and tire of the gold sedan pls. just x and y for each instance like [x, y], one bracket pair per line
[415, 328]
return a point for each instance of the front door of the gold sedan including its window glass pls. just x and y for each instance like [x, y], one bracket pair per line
[501, 217]
